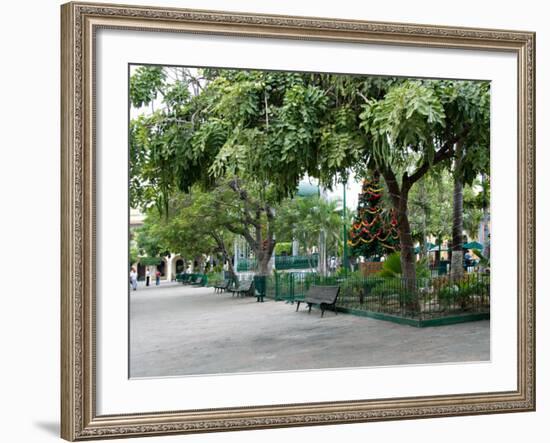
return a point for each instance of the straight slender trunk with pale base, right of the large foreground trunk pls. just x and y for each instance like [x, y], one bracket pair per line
[457, 255]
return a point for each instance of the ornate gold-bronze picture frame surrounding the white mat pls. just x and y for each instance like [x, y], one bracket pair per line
[79, 417]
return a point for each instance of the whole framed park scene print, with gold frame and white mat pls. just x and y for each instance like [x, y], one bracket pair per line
[277, 221]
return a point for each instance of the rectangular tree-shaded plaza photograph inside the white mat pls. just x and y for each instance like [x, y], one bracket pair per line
[287, 220]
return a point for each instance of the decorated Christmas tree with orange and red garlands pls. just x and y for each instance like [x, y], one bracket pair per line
[374, 229]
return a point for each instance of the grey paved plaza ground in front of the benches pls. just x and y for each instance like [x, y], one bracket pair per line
[180, 330]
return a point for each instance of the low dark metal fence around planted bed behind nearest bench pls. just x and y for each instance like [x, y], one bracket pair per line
[421, 298]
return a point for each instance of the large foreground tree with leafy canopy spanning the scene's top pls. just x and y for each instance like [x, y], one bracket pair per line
[273, 128]
